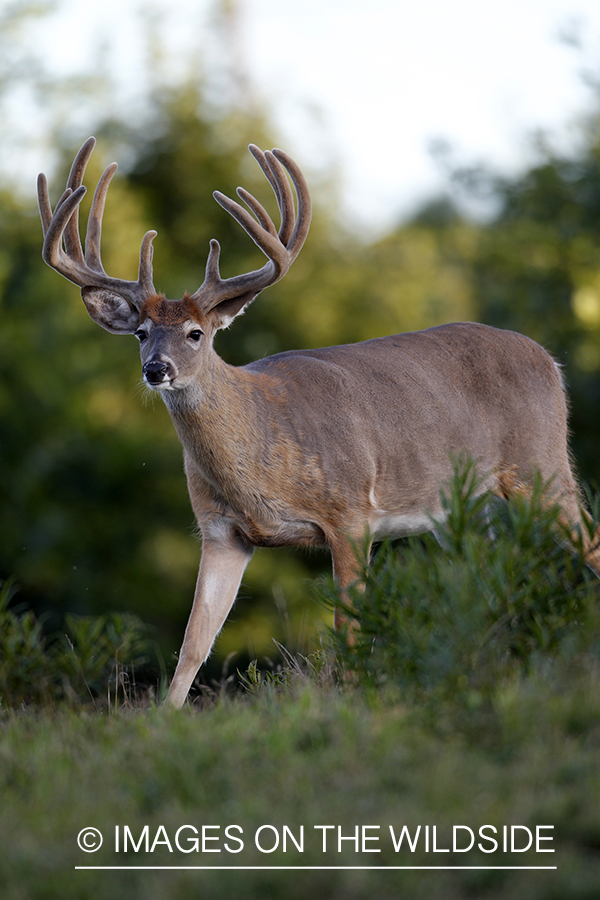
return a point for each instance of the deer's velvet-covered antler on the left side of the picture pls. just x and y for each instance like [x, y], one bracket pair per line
[62, 225]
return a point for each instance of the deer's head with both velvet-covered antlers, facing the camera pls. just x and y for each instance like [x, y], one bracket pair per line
[175, 335]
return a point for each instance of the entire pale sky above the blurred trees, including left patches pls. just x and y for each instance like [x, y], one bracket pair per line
[370, 87]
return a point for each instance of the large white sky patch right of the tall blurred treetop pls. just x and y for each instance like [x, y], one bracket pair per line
[480, 76]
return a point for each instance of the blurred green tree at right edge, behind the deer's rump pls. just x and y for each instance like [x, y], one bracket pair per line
[536, 269]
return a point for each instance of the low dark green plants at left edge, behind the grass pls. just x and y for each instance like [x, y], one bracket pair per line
[92, 659]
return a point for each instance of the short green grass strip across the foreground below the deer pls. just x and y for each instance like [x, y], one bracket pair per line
[307, 757]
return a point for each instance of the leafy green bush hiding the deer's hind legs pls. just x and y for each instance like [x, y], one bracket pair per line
[501, 587]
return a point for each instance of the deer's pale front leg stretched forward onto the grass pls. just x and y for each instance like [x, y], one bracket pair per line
[221, 569]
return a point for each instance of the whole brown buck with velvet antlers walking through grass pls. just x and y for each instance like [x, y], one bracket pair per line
[313, 448]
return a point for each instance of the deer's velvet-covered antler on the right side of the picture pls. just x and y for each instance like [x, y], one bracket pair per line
[281, 247]
